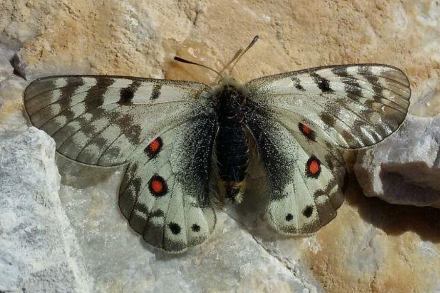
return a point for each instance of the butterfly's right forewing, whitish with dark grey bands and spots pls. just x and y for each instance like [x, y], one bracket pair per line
[351, 106]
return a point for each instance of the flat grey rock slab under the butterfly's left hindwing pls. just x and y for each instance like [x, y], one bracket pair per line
[117, 258]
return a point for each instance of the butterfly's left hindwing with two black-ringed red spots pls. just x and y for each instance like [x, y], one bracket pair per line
[164, 194]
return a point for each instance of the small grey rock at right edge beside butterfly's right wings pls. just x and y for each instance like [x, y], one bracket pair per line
[405, 168]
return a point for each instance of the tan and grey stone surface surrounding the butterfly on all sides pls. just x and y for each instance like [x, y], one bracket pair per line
[86, 245]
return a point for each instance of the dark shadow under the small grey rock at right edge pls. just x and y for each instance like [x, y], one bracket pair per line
[391, 218]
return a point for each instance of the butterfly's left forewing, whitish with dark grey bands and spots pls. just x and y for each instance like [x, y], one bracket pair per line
[100, 120]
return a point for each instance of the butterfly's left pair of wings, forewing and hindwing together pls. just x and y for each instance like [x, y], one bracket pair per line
[163, 130]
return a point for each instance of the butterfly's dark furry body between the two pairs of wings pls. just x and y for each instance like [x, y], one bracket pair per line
[231, 142]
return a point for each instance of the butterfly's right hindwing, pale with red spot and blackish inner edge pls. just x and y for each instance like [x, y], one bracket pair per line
[304, 194]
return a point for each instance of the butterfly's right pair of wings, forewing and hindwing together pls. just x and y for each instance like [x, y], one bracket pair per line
[300, 118]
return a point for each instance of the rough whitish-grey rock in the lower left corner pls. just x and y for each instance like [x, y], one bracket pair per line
[39, 251]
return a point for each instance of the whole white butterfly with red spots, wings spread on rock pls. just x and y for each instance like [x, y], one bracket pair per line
[176, 137]
